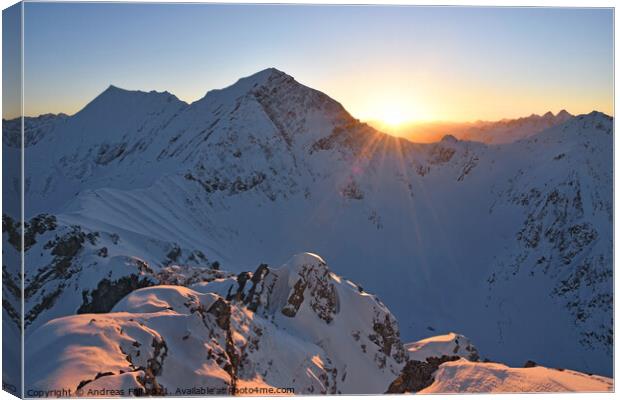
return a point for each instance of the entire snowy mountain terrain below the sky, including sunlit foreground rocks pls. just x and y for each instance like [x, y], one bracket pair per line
[140, 202]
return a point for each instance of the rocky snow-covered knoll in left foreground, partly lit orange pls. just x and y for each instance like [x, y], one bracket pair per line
[306, 352]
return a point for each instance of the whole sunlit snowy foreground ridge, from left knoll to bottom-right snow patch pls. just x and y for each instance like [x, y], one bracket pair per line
[298, 326]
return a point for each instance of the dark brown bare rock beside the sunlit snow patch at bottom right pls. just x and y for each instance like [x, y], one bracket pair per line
[417, 375]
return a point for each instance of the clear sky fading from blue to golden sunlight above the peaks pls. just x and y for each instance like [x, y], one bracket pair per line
[388, 63]
